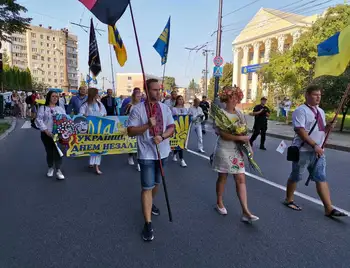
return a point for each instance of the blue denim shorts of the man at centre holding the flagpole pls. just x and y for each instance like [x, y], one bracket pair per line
[150, 173]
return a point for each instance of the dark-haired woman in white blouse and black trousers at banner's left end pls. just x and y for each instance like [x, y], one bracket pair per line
[44, 121]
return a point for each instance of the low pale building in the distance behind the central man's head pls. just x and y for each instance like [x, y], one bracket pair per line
[126, 82]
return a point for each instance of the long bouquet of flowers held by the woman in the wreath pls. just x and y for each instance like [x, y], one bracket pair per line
[235, 128]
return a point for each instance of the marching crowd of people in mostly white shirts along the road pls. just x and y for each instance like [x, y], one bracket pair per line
[151, 122]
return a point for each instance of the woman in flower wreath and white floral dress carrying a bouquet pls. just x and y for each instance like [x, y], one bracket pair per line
[228, 159]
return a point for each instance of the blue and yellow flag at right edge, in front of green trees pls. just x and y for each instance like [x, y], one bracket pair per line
[333, 54]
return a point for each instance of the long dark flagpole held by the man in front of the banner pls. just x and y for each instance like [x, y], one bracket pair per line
[149, 106]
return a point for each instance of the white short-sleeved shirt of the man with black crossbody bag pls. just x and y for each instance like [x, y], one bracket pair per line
[303, 117]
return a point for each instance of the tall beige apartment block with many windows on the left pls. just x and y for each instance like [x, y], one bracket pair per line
[51, 55]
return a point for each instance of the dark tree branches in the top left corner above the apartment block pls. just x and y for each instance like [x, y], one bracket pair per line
[11, 20]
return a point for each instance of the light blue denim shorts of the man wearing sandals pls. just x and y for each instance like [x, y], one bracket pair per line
[307, 161]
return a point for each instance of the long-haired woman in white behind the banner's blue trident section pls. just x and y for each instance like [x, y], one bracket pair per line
[94, 107]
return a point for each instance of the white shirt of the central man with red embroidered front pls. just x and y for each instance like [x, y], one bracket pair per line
[146, 148]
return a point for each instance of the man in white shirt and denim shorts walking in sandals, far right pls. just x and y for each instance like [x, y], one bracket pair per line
[307, 117]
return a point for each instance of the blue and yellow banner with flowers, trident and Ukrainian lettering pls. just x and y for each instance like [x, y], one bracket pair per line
[85, 136]
